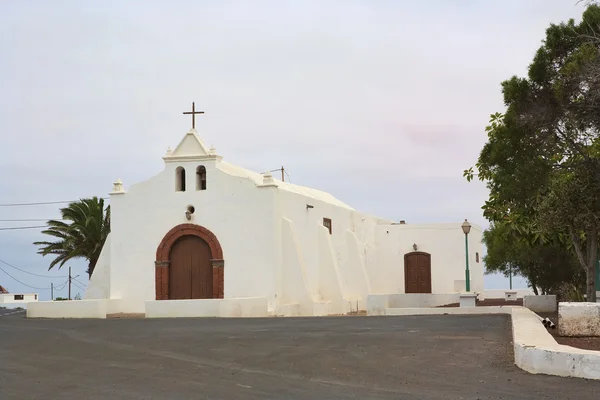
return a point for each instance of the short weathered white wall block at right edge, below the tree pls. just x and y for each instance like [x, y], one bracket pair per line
[578, 319]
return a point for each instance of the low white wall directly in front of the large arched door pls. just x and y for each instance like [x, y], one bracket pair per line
[234, 307]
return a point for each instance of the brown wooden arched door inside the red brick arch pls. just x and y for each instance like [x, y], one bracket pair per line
[190, 270]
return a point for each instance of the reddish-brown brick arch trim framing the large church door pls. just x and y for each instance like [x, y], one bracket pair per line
[162, 259]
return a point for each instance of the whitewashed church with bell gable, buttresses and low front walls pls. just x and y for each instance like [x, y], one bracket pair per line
[208, 238]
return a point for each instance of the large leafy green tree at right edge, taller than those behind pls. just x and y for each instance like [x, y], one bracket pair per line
[542, 159]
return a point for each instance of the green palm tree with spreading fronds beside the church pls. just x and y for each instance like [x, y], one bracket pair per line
[83, 237]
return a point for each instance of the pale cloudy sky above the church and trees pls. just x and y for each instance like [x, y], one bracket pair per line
[381, 103]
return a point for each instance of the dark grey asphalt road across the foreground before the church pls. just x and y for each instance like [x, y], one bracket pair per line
[425, 357]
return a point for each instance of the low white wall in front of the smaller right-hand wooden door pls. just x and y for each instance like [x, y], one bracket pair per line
[378, 303]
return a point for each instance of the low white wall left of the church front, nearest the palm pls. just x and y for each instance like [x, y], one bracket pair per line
[67, 309]
